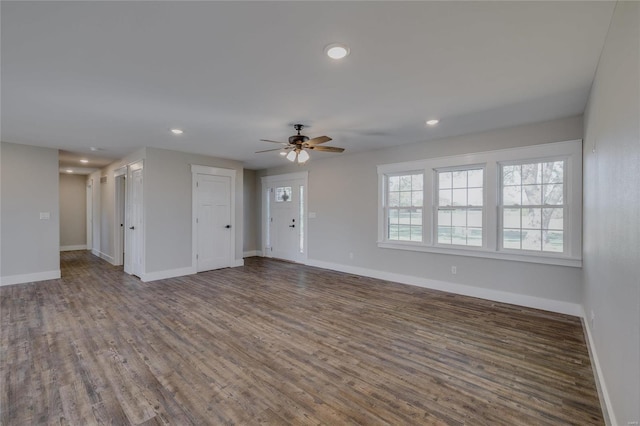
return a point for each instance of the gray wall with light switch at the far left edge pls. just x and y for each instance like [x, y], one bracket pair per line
[30, 246]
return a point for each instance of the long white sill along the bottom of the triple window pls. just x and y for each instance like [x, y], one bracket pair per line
[483, 253]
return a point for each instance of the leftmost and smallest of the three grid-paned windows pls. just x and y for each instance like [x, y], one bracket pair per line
[404, 207]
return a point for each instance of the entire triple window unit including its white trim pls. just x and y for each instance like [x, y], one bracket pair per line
[520, 204]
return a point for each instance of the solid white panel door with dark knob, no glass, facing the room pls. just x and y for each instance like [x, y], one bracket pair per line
[213, 222]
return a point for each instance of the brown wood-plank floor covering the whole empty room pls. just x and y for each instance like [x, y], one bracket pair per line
[280, 343]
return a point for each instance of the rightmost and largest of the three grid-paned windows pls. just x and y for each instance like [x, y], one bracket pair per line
[533, 206]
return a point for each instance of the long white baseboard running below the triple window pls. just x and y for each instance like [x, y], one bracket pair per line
[465, 290]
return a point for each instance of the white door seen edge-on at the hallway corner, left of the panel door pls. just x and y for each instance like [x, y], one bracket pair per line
[134, 236]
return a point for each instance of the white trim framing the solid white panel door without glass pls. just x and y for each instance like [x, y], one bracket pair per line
[215, 171]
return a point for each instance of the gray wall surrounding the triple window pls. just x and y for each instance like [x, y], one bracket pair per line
[343, 194]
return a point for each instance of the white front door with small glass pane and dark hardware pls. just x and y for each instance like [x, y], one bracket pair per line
[286, 220]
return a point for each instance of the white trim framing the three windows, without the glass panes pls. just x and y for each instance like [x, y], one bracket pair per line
[491, 160]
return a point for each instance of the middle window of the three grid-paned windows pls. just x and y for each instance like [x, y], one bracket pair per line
[460, 201]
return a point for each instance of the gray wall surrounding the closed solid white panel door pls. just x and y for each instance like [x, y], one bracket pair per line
[167, 207]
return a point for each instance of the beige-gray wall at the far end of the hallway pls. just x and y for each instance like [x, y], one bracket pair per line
[73, 210]
